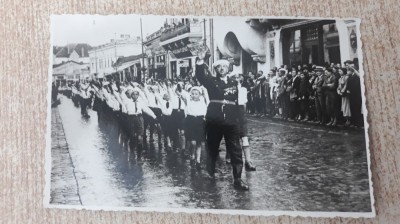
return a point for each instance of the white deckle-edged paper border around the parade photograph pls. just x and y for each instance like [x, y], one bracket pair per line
[371, 214]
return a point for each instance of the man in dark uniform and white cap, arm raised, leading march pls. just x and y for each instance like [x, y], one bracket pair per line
[222, 118]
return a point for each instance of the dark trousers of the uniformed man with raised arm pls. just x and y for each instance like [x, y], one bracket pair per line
[230, 131]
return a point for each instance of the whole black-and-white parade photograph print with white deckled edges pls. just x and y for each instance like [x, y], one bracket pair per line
[238, 115]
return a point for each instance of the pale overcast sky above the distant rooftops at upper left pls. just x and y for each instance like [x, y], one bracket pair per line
[97, 29]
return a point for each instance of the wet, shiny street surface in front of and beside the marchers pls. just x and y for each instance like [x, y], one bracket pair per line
[297, 169]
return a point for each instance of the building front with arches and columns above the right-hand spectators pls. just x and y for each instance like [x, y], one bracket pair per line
[262, 44]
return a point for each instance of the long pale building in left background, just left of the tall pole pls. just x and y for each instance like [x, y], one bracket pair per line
[103, 58]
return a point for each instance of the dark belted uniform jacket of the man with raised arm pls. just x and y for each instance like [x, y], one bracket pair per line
[218, 90]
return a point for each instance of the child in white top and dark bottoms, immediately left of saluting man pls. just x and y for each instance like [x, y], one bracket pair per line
[195, 124]
